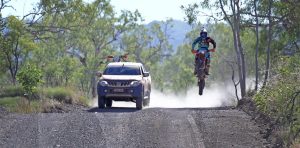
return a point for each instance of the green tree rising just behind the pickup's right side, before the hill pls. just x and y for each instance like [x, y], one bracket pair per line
[151, 47]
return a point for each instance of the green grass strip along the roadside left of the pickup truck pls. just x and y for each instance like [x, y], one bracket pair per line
[48, 99]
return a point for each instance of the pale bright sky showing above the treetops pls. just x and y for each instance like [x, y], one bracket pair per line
[150, 9]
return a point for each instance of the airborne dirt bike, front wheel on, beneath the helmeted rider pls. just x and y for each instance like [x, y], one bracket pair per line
[200, 68]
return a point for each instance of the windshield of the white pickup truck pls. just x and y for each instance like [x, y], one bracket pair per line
[122, 70]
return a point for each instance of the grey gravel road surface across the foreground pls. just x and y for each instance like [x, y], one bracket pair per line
[128, 127]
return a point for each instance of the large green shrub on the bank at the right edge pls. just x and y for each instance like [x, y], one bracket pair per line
[280, 99]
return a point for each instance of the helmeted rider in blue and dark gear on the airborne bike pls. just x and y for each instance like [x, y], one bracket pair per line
[203, 43]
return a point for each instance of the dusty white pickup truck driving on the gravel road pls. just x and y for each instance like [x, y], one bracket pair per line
[124, 81]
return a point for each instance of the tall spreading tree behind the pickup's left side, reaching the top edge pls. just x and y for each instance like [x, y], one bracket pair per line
[87, 30]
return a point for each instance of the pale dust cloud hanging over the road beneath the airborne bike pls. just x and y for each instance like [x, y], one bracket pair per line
[212, 97]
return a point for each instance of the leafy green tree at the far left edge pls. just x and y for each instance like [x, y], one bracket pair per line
[16, 45]
